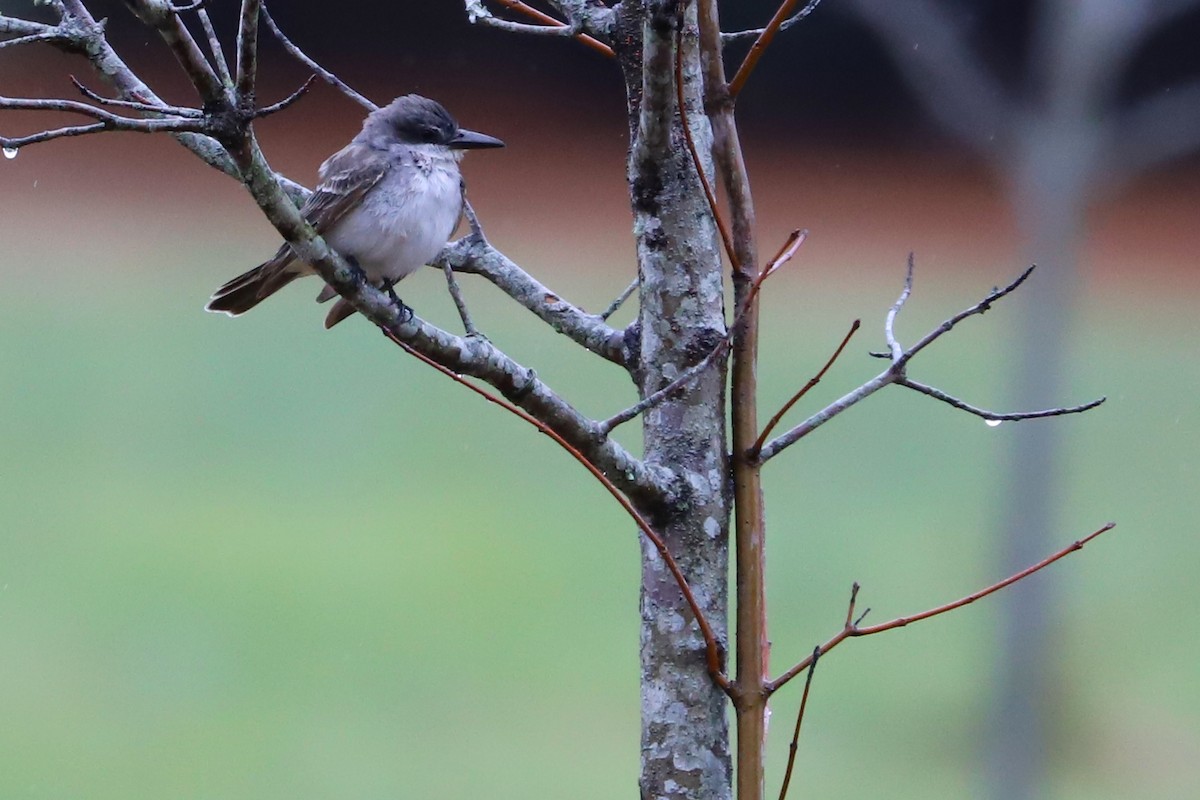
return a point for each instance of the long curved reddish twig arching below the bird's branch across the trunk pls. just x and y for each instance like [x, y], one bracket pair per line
[713, 651]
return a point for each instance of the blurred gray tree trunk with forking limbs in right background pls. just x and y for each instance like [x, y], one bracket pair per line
[1057, 145]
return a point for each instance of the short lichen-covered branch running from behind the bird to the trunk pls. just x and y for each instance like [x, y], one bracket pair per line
[476, 256]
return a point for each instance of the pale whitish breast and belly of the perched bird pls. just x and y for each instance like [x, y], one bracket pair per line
[406, 219]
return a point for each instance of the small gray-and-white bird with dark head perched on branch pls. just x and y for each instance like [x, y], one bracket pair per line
[388, 203]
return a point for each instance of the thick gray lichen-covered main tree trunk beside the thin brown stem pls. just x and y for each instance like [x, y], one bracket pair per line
[686, 754]
